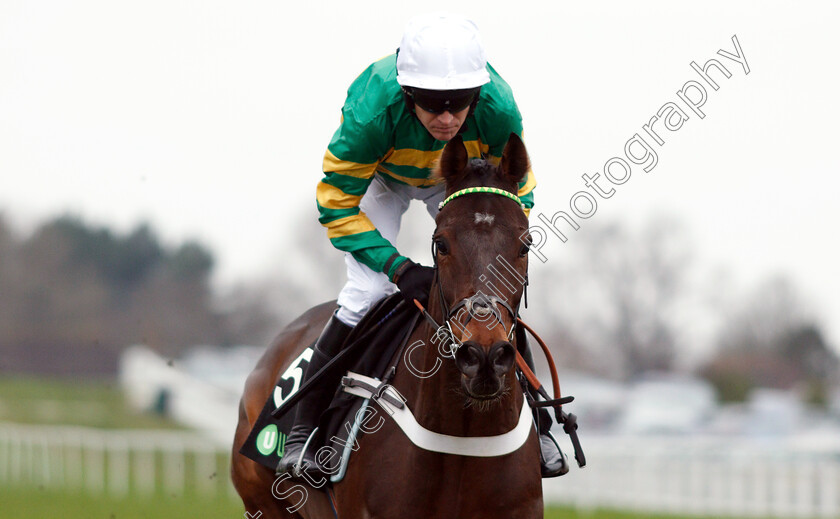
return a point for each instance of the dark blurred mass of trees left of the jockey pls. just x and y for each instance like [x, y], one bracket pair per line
[73, 295]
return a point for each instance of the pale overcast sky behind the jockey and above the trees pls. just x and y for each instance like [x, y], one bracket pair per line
[209, 119]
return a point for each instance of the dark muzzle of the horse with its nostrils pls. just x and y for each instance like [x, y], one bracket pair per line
[484, 370]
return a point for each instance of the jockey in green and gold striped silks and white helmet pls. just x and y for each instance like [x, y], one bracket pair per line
[399, 114]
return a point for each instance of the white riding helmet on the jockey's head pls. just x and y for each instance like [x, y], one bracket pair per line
[441, 51]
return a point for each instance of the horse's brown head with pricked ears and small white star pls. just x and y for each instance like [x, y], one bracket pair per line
[482, 263]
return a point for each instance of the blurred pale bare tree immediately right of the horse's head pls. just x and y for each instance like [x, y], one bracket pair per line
[619, 289]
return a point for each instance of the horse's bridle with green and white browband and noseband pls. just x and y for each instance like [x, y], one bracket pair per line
[479, 305]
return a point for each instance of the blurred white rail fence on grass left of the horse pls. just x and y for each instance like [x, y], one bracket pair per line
[116, 462]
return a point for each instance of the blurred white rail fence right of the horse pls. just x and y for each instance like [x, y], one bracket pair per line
[733, 477]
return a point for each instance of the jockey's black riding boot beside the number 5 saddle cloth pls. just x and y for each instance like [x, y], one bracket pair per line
[311, 406]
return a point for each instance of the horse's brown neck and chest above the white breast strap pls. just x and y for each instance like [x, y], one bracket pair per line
[433, 389]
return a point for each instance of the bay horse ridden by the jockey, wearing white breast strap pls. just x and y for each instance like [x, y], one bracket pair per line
[474, 392]
